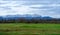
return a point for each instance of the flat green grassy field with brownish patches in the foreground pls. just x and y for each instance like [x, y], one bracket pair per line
[29, 29]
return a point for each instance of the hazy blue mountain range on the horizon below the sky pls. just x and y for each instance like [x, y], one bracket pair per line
[26, 16]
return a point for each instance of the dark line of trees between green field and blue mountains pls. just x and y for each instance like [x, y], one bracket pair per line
[32, 20]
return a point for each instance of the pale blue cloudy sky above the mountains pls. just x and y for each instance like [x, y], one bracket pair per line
[41, 7]
